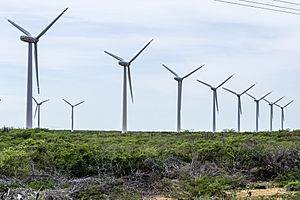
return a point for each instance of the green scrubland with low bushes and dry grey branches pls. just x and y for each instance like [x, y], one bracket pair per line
[111, 165]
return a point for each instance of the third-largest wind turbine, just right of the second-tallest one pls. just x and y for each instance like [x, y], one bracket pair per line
[179, 80]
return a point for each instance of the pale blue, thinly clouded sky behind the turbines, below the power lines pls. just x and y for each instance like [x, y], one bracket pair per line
[258, 46]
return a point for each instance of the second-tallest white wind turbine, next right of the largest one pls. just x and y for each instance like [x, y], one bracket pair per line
[126, 65]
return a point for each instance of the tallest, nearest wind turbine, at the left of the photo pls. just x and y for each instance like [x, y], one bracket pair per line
[32, 40]
